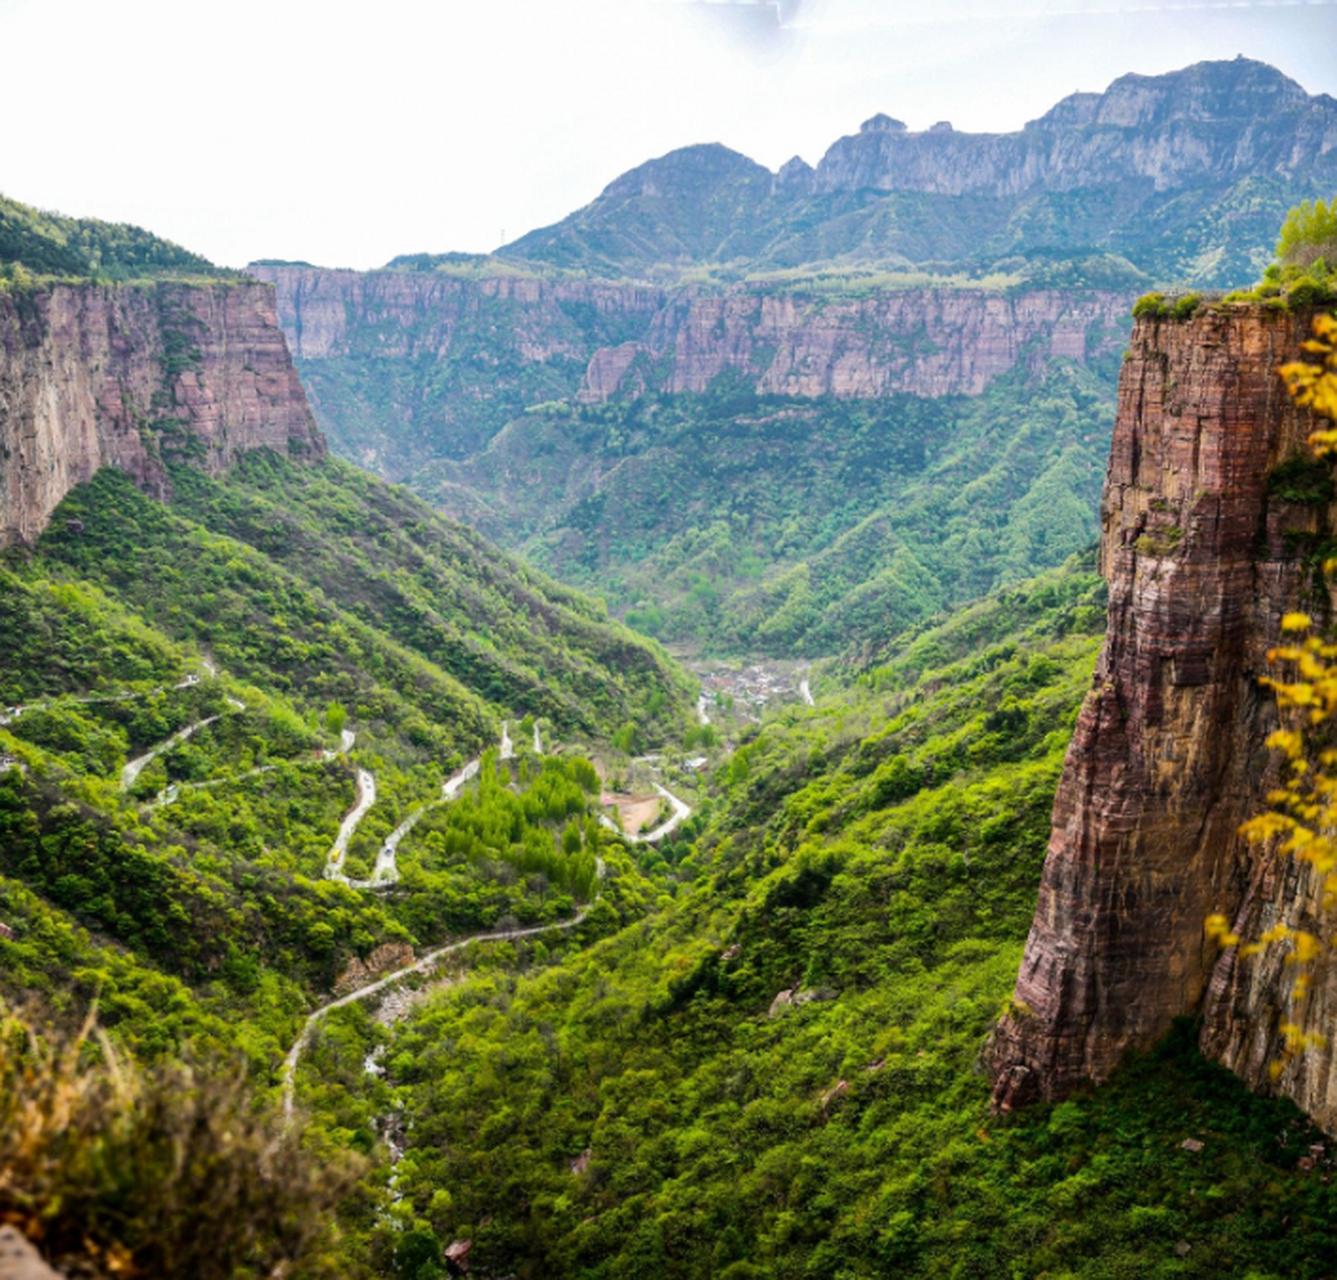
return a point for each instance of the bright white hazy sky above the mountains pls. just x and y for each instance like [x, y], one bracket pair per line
[347, 134]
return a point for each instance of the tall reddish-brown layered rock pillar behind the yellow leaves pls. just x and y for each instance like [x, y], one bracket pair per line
[1205, 548]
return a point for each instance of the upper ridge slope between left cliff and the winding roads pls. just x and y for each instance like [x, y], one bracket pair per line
[323, 576]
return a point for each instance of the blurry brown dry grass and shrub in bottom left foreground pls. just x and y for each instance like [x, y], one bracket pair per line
[118, 1171]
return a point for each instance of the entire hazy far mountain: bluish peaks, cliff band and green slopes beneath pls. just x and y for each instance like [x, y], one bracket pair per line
[740, 405]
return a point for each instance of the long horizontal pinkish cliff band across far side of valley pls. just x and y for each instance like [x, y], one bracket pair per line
[930, 343]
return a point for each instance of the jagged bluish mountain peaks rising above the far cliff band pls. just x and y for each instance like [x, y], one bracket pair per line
[1180, 177]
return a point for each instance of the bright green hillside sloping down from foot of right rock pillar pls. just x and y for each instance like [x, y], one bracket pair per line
[776, 1076]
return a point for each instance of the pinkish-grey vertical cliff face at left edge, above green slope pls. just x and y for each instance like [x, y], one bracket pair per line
[128, 377]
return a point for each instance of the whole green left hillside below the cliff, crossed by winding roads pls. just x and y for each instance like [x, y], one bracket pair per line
[245, 635]
